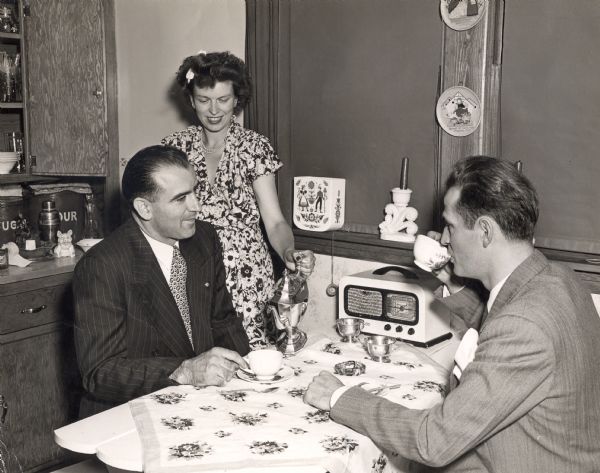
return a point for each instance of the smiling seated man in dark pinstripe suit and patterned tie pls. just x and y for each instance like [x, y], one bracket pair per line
[130, 336]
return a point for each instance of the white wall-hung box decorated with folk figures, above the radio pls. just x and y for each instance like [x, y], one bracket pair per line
[319, 203]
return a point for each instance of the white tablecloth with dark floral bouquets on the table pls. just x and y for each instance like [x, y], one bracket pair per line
[246, 425]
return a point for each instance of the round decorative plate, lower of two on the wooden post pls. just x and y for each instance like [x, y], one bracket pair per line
[458, 111]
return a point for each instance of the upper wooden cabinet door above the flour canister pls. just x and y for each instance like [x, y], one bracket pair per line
[66, 77]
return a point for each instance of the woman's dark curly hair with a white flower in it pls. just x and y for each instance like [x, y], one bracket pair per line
[210, 68]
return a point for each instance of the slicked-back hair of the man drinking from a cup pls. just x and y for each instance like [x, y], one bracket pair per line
[494, 187]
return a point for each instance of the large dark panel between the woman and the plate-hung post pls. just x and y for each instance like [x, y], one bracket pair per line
[364, 79]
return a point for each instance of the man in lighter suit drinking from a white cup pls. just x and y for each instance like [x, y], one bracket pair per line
[529, 401]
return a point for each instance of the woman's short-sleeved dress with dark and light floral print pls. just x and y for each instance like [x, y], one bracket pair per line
[230, 205]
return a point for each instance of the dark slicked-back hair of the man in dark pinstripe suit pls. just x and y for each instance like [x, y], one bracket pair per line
[138, 176]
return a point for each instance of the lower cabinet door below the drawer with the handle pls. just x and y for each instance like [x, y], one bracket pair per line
[38, 382]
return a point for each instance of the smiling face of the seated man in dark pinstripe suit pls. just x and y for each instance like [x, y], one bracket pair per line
[175, 206]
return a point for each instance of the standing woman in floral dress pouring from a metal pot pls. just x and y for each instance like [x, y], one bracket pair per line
[235, 185]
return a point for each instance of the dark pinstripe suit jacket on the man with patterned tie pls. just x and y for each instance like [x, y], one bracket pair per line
[129, 335]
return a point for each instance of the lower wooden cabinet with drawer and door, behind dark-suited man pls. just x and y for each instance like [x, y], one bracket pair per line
[39, 379]
